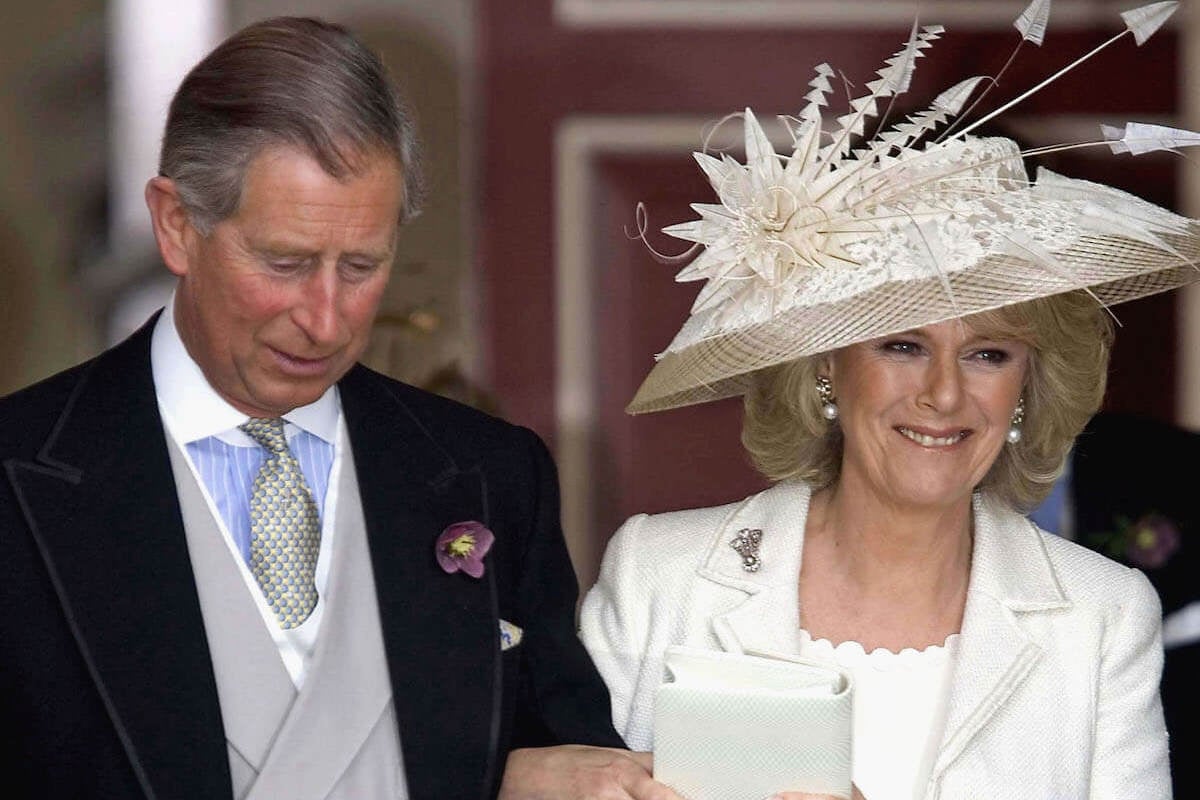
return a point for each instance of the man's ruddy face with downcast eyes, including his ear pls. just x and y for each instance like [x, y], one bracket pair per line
[277, 303]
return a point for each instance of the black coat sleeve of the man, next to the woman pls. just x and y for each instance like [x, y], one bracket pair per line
[562, 699]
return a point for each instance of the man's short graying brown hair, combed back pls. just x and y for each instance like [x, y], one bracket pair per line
[291, 81]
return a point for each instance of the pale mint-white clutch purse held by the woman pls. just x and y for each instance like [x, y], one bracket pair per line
[743, 727]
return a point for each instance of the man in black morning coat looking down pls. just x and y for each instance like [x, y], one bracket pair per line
[235, 563]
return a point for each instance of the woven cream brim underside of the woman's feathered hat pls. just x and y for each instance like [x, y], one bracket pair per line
[1115, 269]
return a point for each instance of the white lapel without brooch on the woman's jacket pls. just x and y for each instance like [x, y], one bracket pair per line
[1011, 576]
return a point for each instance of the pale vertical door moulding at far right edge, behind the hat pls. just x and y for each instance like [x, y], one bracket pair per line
[1189, 365]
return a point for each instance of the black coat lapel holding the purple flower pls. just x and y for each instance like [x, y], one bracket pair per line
[441, 631]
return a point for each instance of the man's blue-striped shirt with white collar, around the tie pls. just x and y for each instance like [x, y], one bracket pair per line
[194, 413]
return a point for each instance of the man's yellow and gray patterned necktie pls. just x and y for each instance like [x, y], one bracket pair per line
[285, 530]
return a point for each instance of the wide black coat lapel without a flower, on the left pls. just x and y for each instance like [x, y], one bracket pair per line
[101, 504]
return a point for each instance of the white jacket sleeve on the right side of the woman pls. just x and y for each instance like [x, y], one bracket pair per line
[1131, 737]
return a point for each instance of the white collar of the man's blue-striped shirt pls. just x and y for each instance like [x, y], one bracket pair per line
[194, 411]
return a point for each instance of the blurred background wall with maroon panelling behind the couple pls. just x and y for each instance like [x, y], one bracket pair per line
[547, 122]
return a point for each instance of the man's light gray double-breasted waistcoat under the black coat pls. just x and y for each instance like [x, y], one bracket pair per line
[335, 739]
